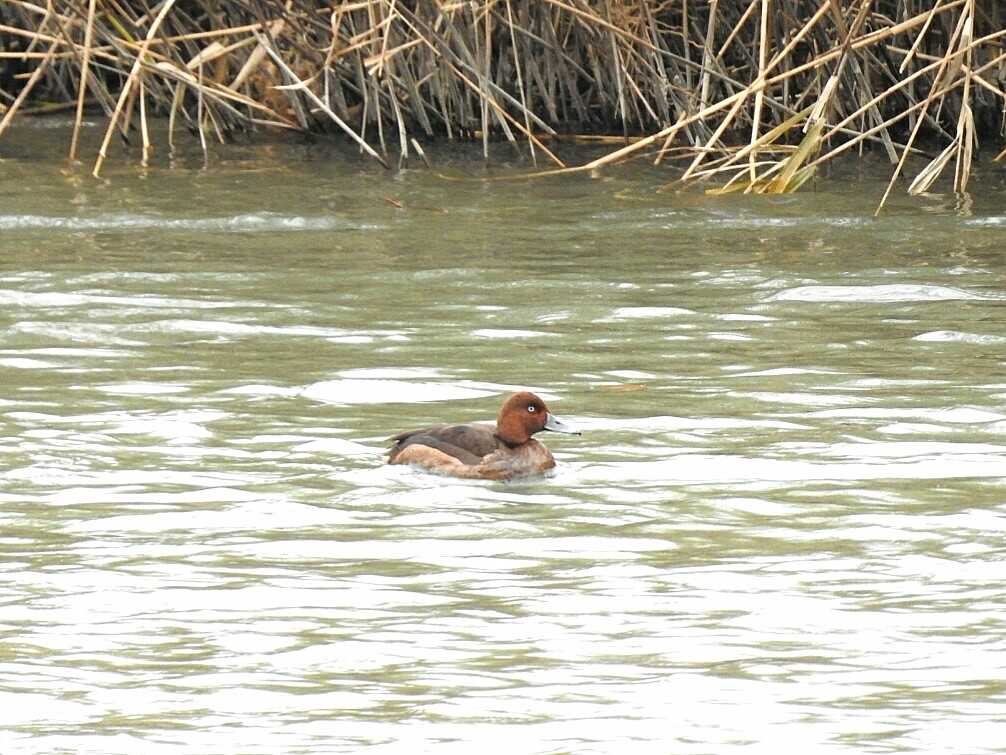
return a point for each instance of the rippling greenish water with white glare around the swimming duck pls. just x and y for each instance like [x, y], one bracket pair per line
[782, 529]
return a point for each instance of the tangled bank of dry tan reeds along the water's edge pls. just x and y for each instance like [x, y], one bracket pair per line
[743, 95]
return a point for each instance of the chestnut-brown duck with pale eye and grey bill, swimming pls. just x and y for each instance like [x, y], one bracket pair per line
[482, 451]
